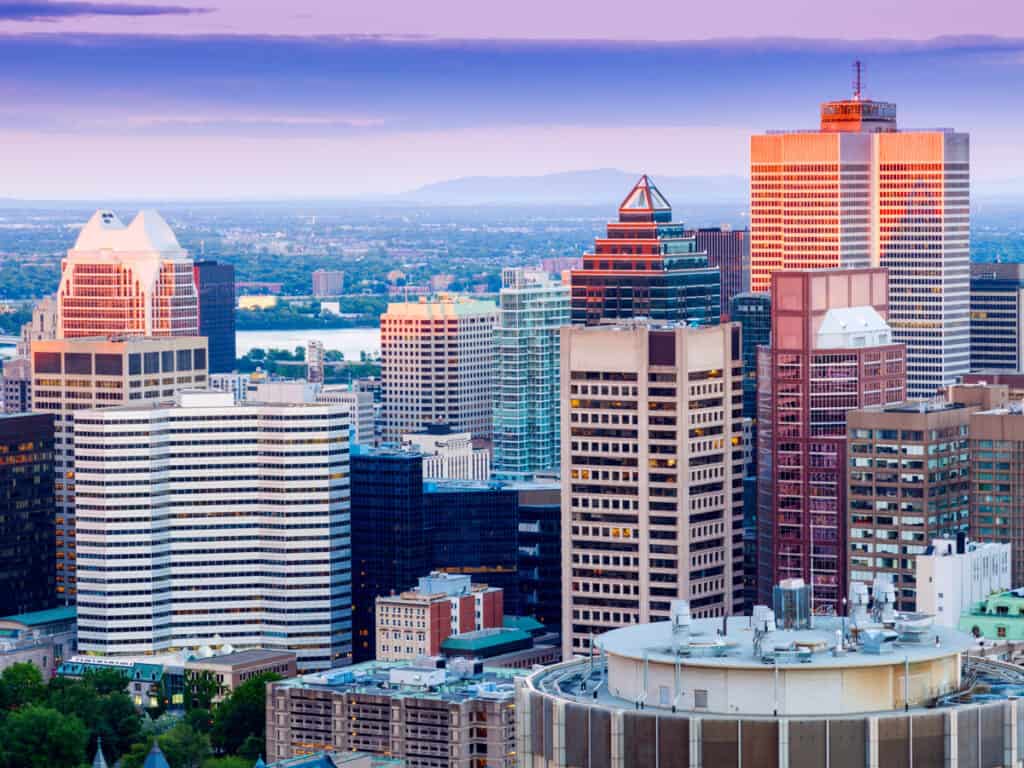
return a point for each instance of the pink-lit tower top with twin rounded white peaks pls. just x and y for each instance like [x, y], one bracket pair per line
[134, 280]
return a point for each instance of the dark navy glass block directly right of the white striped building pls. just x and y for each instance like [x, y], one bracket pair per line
[390, 545]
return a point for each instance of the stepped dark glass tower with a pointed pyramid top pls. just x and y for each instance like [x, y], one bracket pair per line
[648, 267]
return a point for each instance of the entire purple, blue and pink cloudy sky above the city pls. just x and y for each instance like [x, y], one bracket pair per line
[216, 99]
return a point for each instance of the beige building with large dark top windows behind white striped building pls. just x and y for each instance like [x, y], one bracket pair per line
[69, 375]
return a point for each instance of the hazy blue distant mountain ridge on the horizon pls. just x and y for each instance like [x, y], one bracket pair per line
[605, 187]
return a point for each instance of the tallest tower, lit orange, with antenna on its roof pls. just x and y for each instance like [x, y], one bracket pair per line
[861, 193]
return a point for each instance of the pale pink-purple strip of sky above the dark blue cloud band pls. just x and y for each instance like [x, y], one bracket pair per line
[613, 20]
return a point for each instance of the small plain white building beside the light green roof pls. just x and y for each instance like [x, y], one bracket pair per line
[956, 574]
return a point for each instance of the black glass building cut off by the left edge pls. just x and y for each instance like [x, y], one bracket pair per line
[28, 511]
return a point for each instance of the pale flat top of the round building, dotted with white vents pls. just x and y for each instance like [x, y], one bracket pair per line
[654, 643]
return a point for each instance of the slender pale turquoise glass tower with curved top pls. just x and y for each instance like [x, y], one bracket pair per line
[532, 309]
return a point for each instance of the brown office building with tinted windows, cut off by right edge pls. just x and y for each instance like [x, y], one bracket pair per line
[998, 481]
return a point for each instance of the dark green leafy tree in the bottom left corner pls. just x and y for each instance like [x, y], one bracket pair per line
[41, 738]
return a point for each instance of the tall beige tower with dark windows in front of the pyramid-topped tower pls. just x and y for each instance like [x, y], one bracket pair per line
[653, 468]
